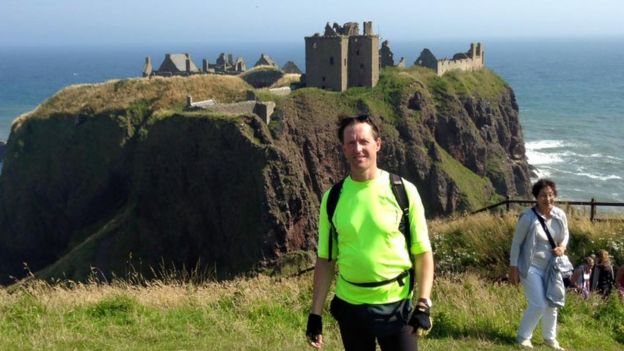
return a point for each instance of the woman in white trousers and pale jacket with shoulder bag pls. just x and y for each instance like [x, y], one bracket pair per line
[531, 253]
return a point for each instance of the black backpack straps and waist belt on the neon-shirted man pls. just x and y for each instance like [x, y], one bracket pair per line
[398, 189]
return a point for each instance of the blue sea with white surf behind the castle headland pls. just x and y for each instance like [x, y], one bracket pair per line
[570, 92]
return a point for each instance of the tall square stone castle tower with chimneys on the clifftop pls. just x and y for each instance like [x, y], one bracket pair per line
[342, 57]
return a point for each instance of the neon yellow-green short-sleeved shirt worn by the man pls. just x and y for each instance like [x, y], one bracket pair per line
[369, 245]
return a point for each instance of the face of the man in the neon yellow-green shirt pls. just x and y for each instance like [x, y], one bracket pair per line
[360, 146]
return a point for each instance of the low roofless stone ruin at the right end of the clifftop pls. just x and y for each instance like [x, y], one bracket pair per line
[471, 60]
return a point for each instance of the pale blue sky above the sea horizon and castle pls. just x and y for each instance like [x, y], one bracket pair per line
[93, 22]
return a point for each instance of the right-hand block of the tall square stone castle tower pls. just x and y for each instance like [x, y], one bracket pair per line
[363, 62]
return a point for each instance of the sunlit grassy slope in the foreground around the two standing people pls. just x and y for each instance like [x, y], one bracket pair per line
[269, 313]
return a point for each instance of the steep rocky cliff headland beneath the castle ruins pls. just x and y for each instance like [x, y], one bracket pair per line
[145, 185]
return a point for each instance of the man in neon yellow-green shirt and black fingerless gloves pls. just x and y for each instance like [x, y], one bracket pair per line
[365, 238]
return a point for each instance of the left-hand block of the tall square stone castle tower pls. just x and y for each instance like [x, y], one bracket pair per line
[326, 62]
